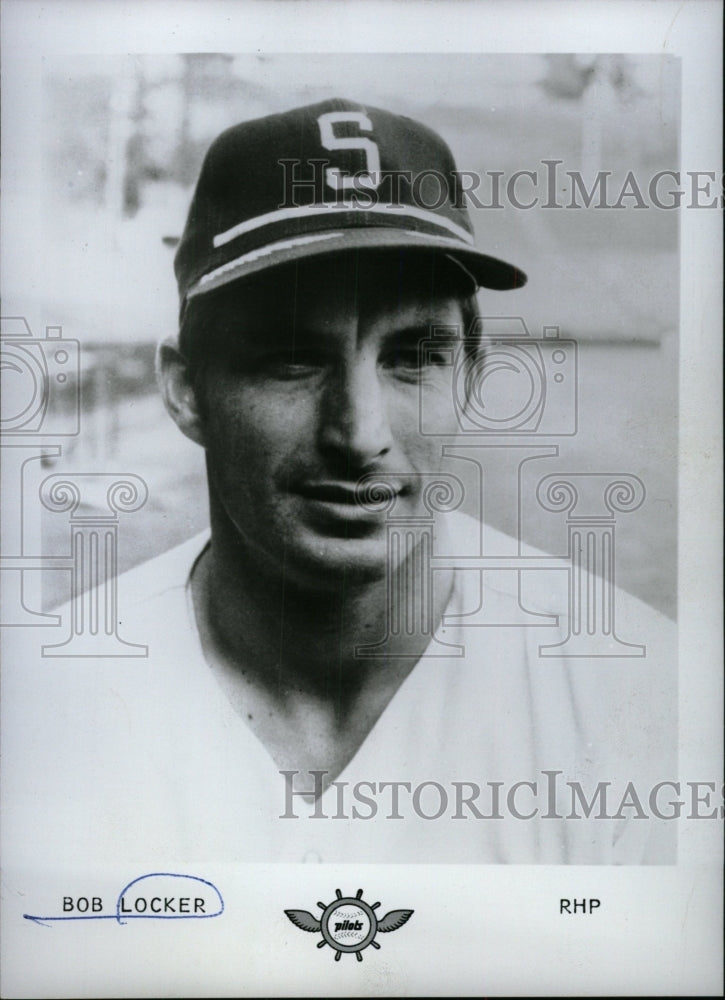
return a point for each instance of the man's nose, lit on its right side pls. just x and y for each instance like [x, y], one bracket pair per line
[355, 421]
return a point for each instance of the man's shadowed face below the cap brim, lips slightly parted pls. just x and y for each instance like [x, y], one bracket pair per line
[319, 384]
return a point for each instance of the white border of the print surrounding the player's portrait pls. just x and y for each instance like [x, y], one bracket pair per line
[660, 931]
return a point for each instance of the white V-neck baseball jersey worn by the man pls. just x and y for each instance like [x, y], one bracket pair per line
[481, 757]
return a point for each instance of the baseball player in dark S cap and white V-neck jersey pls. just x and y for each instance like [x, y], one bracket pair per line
[312, 690]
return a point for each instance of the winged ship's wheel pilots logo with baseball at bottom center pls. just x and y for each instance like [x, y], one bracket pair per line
[348, 924]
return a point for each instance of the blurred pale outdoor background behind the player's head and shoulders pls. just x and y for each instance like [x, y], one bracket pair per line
[123, 142]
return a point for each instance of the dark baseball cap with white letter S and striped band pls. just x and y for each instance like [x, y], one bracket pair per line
[321, 179]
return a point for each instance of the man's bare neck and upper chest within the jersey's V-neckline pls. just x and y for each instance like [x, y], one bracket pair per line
[289, 657]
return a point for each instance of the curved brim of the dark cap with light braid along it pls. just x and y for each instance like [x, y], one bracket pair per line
[486, 271]
